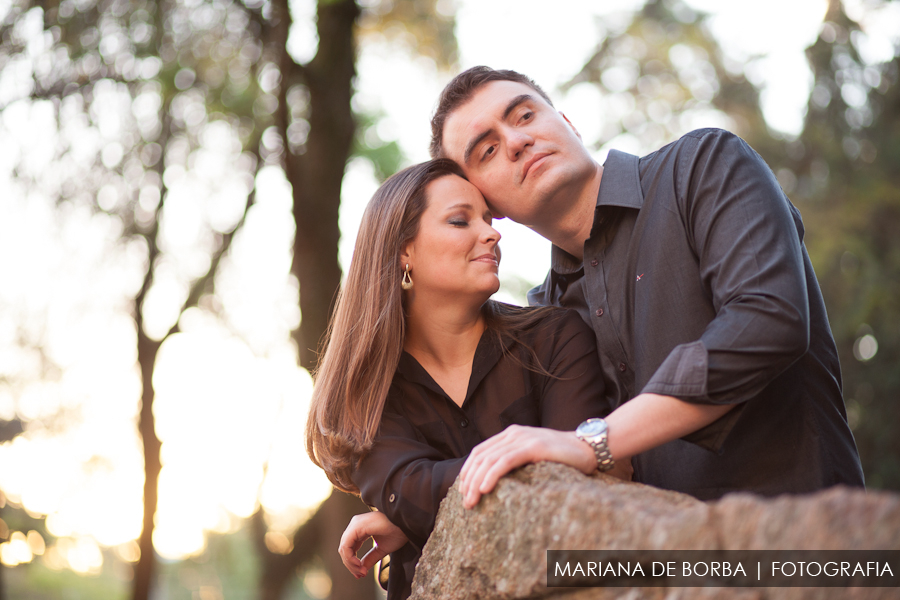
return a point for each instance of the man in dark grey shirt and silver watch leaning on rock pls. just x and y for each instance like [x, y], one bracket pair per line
[689, 266]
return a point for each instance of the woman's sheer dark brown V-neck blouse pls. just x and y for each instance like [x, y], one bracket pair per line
[425, 437]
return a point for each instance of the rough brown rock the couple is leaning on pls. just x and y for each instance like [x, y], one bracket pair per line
[498, 550]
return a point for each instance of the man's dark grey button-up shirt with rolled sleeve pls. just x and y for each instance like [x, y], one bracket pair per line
[697, 285]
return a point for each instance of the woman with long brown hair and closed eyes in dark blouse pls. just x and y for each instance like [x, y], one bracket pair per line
[421, 367]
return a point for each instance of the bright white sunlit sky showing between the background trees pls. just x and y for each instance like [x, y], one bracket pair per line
[230, 401]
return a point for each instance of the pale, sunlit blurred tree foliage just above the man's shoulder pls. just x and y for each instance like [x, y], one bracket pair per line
[663, 75]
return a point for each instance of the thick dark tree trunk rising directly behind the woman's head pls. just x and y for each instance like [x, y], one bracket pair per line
[316, 176]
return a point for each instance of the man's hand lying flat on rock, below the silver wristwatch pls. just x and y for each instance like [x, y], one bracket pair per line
[516, 446]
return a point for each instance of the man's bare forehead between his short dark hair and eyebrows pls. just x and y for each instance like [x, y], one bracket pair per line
[486, 105]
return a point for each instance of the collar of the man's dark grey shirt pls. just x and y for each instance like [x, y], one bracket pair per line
[619, 186]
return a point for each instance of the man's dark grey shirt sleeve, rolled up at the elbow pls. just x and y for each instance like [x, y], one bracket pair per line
[747, 238]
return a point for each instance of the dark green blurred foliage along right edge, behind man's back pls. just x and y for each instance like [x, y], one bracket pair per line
[844, 165]
